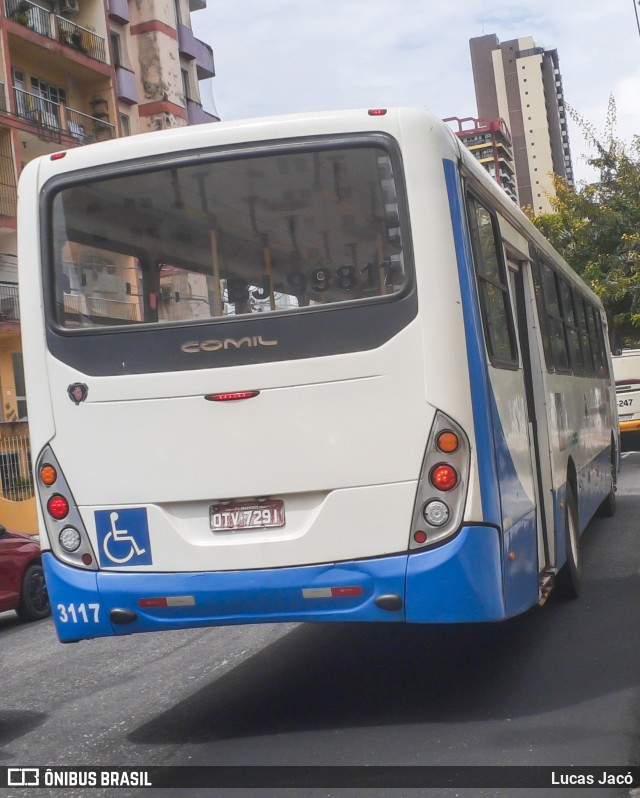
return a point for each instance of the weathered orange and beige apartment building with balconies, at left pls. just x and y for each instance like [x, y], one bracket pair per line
[74, 72]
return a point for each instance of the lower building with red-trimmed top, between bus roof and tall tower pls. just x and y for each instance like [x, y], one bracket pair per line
[489, 142]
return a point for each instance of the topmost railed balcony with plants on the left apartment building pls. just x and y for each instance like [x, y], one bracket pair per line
[46, 23]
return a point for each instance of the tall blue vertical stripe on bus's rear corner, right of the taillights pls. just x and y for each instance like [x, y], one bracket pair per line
[480, 386]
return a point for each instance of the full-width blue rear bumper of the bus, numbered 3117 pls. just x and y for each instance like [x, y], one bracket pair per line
[460, 581]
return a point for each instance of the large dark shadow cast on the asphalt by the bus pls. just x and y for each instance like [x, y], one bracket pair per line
[338, 676]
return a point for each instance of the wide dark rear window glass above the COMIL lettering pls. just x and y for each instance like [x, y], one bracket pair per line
[228, 237]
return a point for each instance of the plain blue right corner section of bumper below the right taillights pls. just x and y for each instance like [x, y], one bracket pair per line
[458, 583]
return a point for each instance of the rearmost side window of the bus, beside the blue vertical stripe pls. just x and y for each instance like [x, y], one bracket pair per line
[493, 290]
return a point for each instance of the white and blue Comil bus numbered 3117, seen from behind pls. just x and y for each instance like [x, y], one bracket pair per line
[307, 368]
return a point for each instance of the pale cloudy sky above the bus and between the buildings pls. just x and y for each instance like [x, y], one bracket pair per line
[291, 56]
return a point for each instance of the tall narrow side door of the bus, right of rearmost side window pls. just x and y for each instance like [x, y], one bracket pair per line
[534, 375]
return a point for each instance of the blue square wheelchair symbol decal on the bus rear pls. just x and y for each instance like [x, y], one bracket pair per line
[123, 537]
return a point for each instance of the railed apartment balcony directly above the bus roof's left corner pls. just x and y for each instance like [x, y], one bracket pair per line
[55, 118]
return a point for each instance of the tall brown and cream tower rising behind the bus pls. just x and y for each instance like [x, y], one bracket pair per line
[521, 83]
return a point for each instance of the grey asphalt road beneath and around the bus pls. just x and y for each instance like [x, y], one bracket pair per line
[559, 685]
